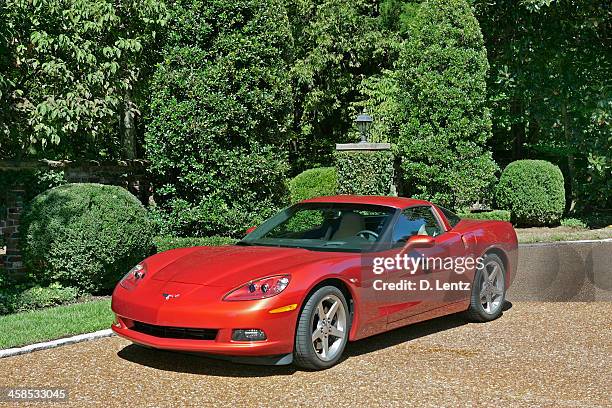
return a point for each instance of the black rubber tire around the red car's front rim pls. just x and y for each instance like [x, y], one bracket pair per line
[304, 354]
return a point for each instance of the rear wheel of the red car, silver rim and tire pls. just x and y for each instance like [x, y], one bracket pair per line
[488, 290]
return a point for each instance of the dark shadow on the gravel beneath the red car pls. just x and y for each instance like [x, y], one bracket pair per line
[195, 364]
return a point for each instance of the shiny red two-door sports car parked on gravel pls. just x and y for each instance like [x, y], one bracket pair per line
[316, 275]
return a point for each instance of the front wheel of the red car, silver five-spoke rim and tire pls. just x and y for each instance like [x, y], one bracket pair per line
[322, 329]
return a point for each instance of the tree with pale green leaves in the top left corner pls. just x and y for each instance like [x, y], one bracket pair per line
[72, 66]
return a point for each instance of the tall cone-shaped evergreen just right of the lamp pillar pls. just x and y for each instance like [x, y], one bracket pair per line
[432, 106]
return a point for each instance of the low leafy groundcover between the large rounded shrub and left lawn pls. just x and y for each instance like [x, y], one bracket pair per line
[37, 297]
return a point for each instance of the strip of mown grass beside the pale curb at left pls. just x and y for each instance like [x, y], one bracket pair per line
[24, 328]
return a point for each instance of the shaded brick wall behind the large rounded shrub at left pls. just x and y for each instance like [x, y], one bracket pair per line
[130, 175]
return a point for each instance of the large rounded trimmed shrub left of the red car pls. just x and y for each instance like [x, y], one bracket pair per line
[84, 235]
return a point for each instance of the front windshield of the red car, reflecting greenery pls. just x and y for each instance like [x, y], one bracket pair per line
[325, 227]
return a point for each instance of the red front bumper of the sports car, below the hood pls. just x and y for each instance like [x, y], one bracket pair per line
[208, 311]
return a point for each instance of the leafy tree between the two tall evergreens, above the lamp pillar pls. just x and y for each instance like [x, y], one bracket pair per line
[337, 44]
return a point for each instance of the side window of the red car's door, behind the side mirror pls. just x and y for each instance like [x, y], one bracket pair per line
[416, 221]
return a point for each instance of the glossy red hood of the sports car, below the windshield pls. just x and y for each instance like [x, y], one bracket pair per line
[231, 266]
